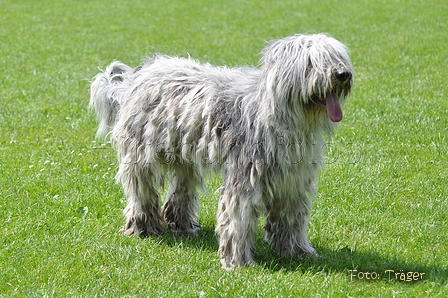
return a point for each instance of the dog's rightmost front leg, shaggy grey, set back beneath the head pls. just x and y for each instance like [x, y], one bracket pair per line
[286, 226]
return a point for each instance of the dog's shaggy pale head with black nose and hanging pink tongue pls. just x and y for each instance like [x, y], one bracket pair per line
[308, 71]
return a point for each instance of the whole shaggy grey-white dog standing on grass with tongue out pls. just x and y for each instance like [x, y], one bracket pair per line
[262, 127]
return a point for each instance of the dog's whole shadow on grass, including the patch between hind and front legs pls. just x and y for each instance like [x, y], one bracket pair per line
[355, 265]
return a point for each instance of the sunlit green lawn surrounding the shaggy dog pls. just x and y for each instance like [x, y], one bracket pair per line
[382, 202]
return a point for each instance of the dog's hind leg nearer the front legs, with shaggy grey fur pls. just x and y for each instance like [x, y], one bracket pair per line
[181, 205]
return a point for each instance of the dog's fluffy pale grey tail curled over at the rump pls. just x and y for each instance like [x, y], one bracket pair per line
[106, 95]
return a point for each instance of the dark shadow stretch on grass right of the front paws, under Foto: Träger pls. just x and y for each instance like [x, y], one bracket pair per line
[356, 265]
